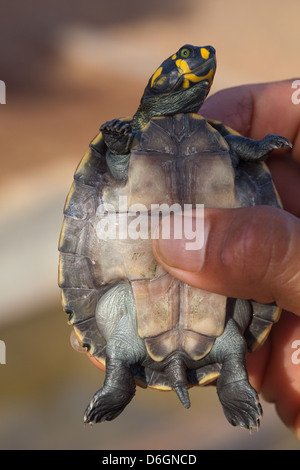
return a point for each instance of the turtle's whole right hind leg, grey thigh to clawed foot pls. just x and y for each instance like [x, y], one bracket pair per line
[238, 398]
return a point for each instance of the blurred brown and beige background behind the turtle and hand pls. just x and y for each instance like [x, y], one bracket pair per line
[69, 66]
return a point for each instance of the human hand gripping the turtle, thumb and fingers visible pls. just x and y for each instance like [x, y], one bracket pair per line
[255, 252]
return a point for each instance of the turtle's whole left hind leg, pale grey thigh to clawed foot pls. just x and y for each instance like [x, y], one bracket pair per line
[115, 318]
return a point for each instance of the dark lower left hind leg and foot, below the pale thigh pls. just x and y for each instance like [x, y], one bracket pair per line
[117, 391]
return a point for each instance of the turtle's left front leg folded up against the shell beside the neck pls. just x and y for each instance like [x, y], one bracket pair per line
[117, 135]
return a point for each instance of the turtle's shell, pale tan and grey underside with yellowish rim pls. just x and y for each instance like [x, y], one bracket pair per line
[175, 160]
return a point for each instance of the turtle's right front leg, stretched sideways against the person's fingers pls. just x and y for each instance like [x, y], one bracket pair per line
[247, 149]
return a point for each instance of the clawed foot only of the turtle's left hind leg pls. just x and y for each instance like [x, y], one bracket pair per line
[106, 405]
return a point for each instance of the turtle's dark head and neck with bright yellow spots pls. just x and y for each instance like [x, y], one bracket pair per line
[180, 84]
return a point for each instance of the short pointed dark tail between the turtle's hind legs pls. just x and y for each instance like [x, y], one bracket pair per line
[176, 373]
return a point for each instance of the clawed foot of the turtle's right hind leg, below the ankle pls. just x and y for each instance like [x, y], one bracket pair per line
[240, 404]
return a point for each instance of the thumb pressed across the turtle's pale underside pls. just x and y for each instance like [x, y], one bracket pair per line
[249, 253]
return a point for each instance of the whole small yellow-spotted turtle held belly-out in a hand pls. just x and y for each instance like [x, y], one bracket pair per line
[134, 320]
